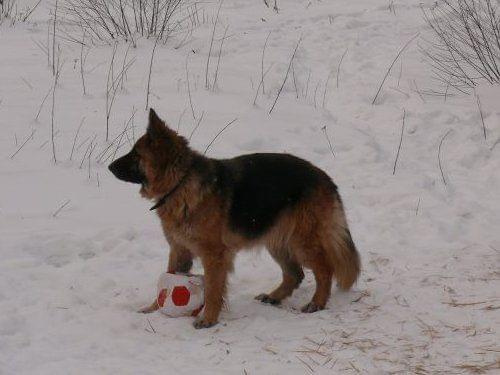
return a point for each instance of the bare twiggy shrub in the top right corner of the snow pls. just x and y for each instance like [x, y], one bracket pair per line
[466, 44]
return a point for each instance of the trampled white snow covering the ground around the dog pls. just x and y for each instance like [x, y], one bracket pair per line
[427, 300]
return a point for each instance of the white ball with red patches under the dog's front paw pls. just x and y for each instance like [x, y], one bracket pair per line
[180, 294]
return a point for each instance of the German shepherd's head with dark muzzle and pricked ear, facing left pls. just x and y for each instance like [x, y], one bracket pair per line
[149, 160]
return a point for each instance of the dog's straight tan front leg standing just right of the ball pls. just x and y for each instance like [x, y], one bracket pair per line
[216, 266]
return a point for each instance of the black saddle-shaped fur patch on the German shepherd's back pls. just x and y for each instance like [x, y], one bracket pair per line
[260, 187]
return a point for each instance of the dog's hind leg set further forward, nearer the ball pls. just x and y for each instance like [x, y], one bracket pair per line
[292, 277]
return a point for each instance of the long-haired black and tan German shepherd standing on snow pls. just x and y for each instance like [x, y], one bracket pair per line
[212, 208]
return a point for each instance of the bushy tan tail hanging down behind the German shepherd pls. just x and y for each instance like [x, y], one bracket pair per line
[342, 252]
